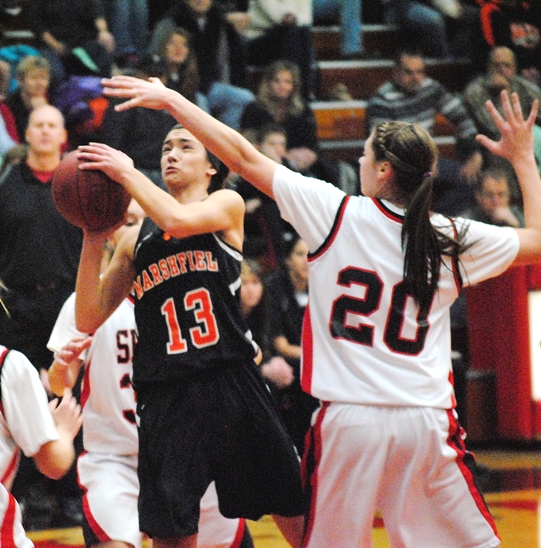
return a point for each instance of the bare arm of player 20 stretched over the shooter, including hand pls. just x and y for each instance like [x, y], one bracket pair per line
[226, 143]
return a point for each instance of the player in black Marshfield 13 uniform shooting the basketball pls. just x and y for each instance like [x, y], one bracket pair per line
[205, 413]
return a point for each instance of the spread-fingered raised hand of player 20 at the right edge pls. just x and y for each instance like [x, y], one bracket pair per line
[516, 140]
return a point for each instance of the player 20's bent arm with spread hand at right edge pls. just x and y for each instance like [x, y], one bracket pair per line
[516, 145]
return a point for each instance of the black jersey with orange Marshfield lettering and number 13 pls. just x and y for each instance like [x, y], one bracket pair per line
[187, 305]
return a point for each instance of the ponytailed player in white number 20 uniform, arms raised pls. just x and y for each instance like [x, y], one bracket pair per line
[376, 343]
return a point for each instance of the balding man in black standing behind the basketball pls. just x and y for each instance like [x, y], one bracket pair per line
[38, 266]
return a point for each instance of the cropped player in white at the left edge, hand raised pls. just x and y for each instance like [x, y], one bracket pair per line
[42, 430]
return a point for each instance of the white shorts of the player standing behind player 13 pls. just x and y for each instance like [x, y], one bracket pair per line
[110, 504]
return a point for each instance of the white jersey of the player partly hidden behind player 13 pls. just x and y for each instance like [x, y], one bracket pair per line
[107, 396]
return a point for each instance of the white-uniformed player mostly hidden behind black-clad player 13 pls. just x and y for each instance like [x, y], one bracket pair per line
[107, 470]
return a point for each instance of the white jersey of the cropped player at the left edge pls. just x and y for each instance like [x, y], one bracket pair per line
[25, 419]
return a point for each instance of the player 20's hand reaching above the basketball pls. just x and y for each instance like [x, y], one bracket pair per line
[149, 93]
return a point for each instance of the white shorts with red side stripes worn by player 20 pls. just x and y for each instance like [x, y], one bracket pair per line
[410, 463]
